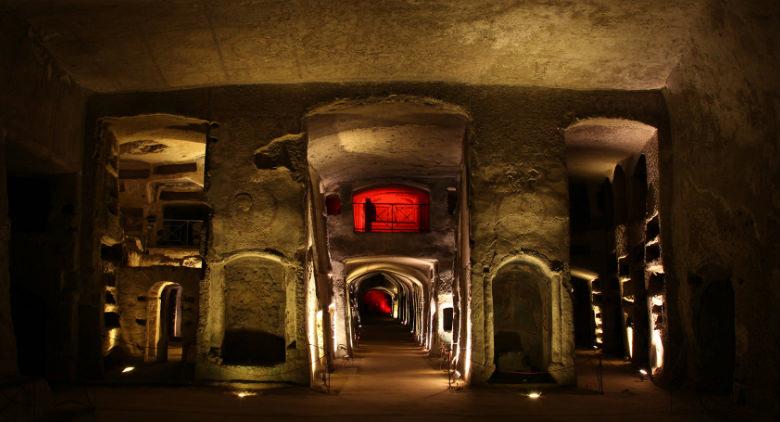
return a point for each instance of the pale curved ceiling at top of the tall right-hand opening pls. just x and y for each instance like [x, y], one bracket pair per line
[595, 146]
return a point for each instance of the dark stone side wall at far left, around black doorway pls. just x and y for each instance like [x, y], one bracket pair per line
[41, 123]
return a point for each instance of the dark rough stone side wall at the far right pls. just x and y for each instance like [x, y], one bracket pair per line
[724, 114]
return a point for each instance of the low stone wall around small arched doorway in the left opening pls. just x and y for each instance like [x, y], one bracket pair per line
[133, 296]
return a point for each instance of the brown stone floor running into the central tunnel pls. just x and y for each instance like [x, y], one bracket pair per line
[391, 379]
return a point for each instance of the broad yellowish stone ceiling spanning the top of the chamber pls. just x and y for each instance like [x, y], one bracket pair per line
[134, 45]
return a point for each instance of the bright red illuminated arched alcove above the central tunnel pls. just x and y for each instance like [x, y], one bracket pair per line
[391, 209]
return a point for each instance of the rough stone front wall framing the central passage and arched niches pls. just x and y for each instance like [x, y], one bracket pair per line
[517, 189]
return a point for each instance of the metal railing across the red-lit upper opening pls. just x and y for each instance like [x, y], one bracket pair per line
[379, 217]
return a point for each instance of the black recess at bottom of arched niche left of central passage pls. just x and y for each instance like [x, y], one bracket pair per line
[245, 347]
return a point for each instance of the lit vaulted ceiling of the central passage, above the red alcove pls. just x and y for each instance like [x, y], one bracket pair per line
[407, 137]
